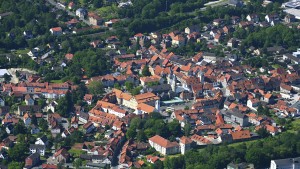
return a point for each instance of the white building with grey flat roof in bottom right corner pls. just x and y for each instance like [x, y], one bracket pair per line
[293, 163]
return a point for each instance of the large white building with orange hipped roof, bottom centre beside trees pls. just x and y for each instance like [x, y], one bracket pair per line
[163, 145]
